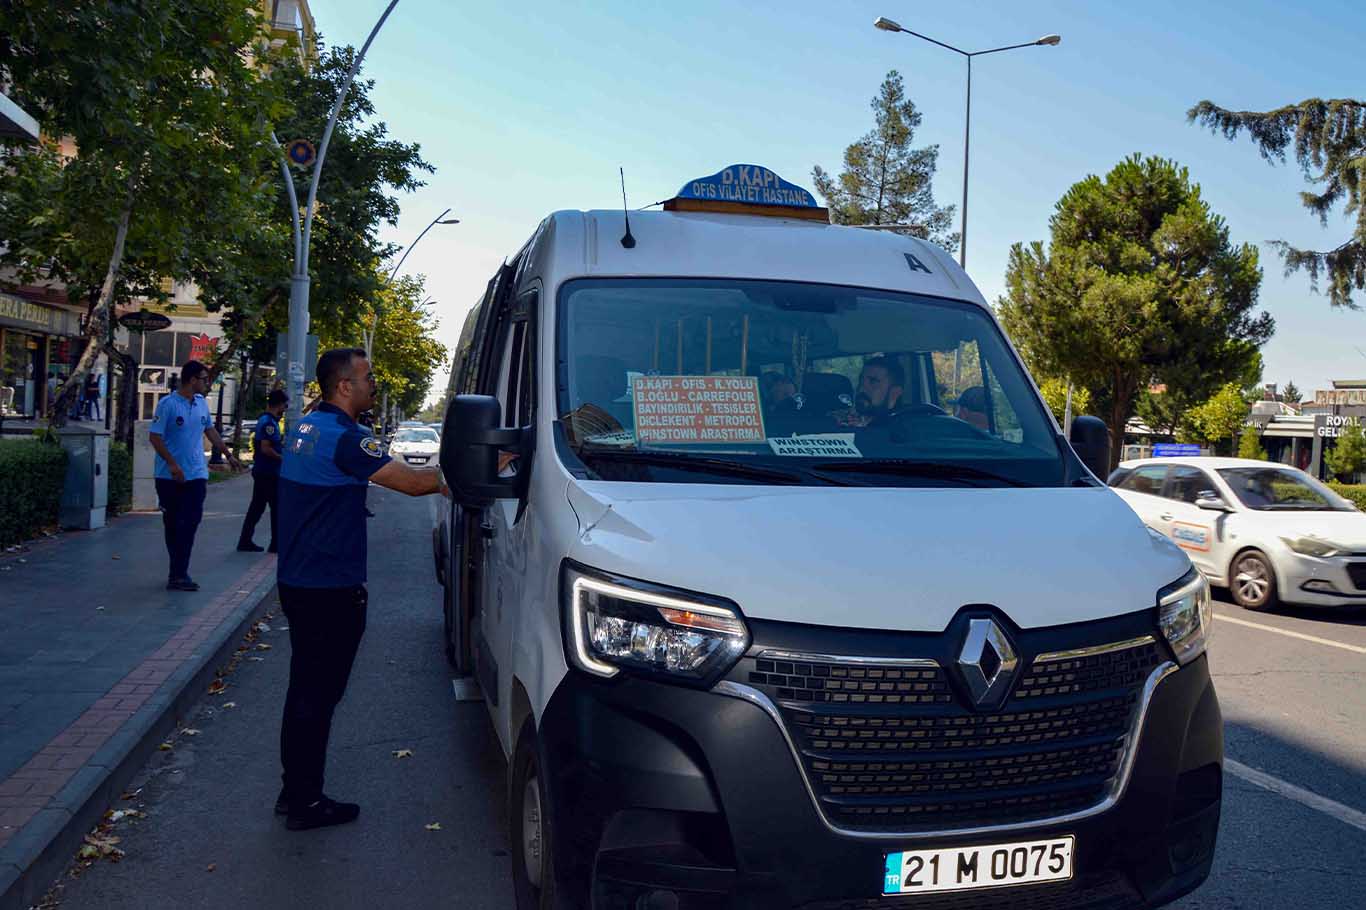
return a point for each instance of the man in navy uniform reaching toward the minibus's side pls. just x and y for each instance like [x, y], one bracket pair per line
[330, 463]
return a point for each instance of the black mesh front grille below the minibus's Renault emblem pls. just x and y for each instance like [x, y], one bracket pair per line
[893, 747]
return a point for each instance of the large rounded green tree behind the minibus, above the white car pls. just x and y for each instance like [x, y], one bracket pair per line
[1140, 285]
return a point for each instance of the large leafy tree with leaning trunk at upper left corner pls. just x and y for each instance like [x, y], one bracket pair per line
[165, 105]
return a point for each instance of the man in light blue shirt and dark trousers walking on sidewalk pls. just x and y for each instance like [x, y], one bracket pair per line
[182, 476]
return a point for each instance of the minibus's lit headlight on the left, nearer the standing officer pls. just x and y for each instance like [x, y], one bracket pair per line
[614, 625]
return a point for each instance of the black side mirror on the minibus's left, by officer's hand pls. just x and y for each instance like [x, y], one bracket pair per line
[472, 439]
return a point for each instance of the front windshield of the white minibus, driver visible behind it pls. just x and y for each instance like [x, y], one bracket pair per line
[727, 381]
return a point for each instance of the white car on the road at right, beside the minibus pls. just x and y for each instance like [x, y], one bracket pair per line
[1267, 532]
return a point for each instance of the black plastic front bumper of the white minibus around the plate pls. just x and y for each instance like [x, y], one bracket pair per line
[696, 799]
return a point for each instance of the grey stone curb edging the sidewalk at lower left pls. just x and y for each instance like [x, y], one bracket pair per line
[44, 848]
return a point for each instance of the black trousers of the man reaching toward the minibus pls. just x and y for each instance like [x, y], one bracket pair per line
[326, 629]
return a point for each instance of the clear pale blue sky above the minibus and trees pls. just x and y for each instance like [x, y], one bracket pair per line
[532, 107]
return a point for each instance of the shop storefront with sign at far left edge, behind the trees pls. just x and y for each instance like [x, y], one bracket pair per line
[35, 338]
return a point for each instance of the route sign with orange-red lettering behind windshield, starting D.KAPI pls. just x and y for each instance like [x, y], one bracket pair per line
[697, 409]
